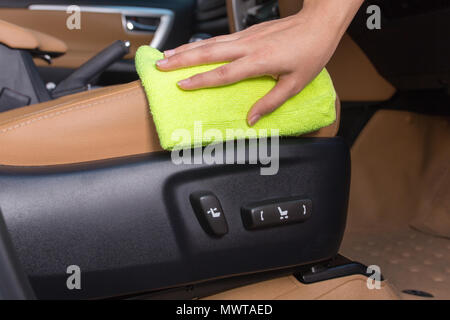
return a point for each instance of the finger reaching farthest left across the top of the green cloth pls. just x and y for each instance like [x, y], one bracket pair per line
[210, 53]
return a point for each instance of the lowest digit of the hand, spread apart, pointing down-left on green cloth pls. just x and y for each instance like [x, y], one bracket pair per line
[283, 90]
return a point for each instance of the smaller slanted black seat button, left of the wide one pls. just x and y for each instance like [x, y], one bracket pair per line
[209, 213]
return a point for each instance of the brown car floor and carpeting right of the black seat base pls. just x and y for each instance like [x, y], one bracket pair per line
[399, 209]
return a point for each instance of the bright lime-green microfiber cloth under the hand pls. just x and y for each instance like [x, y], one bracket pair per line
[226, 107]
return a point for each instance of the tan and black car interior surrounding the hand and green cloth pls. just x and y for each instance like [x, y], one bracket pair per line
[85, 182]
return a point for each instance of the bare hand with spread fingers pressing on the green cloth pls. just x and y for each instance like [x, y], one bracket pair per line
[292, 50]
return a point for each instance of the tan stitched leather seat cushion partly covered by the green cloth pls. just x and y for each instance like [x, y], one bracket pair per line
[94, 125]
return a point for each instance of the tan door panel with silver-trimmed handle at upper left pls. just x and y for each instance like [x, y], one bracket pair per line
[99, 29]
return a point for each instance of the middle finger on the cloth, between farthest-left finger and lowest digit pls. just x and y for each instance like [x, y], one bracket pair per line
[226, 74]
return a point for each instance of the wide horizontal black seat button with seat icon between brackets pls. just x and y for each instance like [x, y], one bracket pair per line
[276, 213]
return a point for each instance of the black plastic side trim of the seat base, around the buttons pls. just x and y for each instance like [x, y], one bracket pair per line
[129, 225]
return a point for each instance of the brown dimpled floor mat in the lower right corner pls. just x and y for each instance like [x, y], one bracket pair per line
[411, 260]
